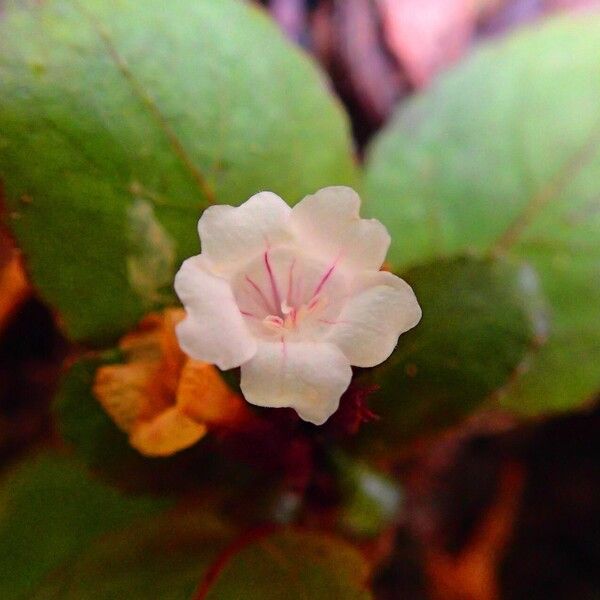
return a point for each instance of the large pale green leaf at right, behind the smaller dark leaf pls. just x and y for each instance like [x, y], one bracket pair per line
[502, 158]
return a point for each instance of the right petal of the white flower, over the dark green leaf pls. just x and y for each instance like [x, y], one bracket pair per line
[367, 329]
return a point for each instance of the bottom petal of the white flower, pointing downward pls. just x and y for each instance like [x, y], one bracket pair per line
[309, 377]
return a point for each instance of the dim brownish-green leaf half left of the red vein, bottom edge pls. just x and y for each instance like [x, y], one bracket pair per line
[164, 558]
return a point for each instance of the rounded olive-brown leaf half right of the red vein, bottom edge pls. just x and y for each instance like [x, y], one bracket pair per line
[291, 564]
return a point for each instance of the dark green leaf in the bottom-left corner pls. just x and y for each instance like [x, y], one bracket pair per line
[50, 510]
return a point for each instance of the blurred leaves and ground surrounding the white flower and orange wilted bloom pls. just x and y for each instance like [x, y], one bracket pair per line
[464, 468]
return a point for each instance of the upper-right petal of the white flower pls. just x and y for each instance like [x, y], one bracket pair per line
[329, 223]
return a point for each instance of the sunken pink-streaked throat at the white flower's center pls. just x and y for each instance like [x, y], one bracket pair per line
[285, 295]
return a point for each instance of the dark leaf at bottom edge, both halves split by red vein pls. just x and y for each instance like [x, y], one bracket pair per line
[173, 555]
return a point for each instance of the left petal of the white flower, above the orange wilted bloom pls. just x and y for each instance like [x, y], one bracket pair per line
[214, 330]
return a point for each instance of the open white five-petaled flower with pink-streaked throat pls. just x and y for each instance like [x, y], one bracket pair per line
[295, 296]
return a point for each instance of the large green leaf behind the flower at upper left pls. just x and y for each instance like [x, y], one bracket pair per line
[120, 122]
